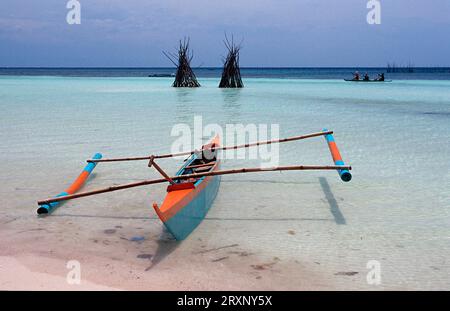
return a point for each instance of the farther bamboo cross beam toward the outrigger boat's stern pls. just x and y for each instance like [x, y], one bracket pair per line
[170, 155]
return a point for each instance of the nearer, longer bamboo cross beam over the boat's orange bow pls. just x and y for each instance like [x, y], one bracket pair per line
[195, 175]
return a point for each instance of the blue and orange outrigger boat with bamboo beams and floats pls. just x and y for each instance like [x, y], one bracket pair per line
[191, 192]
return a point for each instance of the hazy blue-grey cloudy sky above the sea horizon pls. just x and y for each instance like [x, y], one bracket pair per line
[274, 32]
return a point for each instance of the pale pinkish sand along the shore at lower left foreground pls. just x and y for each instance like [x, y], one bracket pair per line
[35, 256]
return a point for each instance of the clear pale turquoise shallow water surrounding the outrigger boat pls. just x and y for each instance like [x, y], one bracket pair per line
[395, 135]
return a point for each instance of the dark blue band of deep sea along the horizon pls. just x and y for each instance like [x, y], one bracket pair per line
[326, 73]
